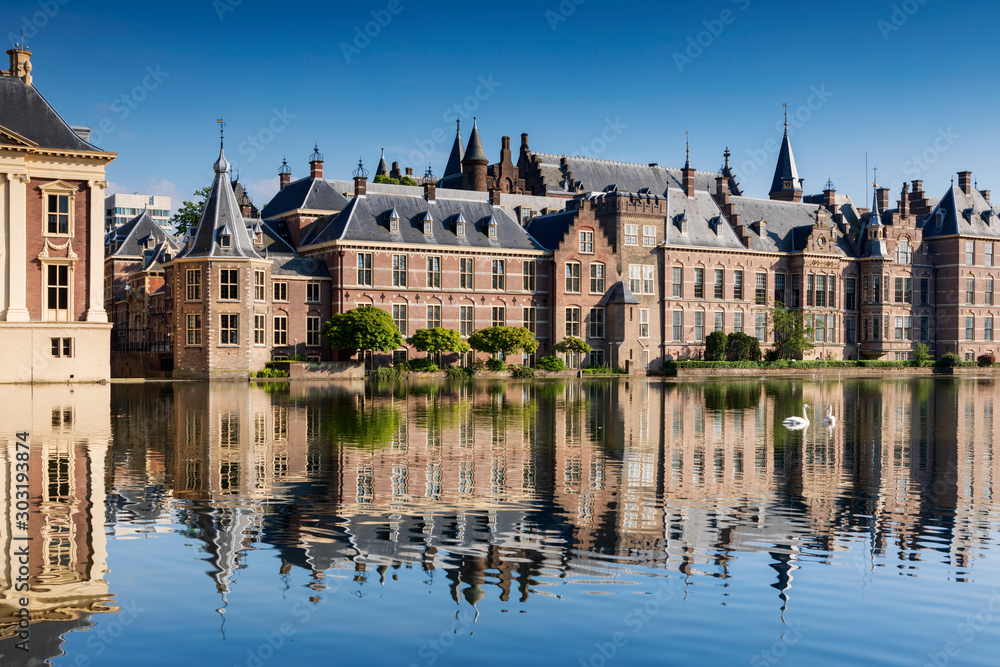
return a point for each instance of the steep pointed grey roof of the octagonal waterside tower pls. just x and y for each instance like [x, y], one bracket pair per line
[221, 217]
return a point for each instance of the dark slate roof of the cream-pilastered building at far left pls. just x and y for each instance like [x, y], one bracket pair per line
[24, 111]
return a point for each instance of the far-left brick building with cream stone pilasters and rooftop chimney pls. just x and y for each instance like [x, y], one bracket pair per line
[53, 325]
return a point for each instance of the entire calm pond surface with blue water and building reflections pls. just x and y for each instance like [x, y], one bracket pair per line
[537, 523]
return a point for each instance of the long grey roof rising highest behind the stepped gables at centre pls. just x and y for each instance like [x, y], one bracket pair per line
[599, 175]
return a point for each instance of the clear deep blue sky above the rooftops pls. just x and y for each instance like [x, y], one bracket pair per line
[897, 80]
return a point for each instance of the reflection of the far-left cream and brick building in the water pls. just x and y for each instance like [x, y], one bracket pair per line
[70, 435]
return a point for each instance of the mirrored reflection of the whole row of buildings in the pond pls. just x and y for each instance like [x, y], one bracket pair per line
[507, 491]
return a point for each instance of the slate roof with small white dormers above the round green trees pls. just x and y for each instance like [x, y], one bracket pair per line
[366, 218]
